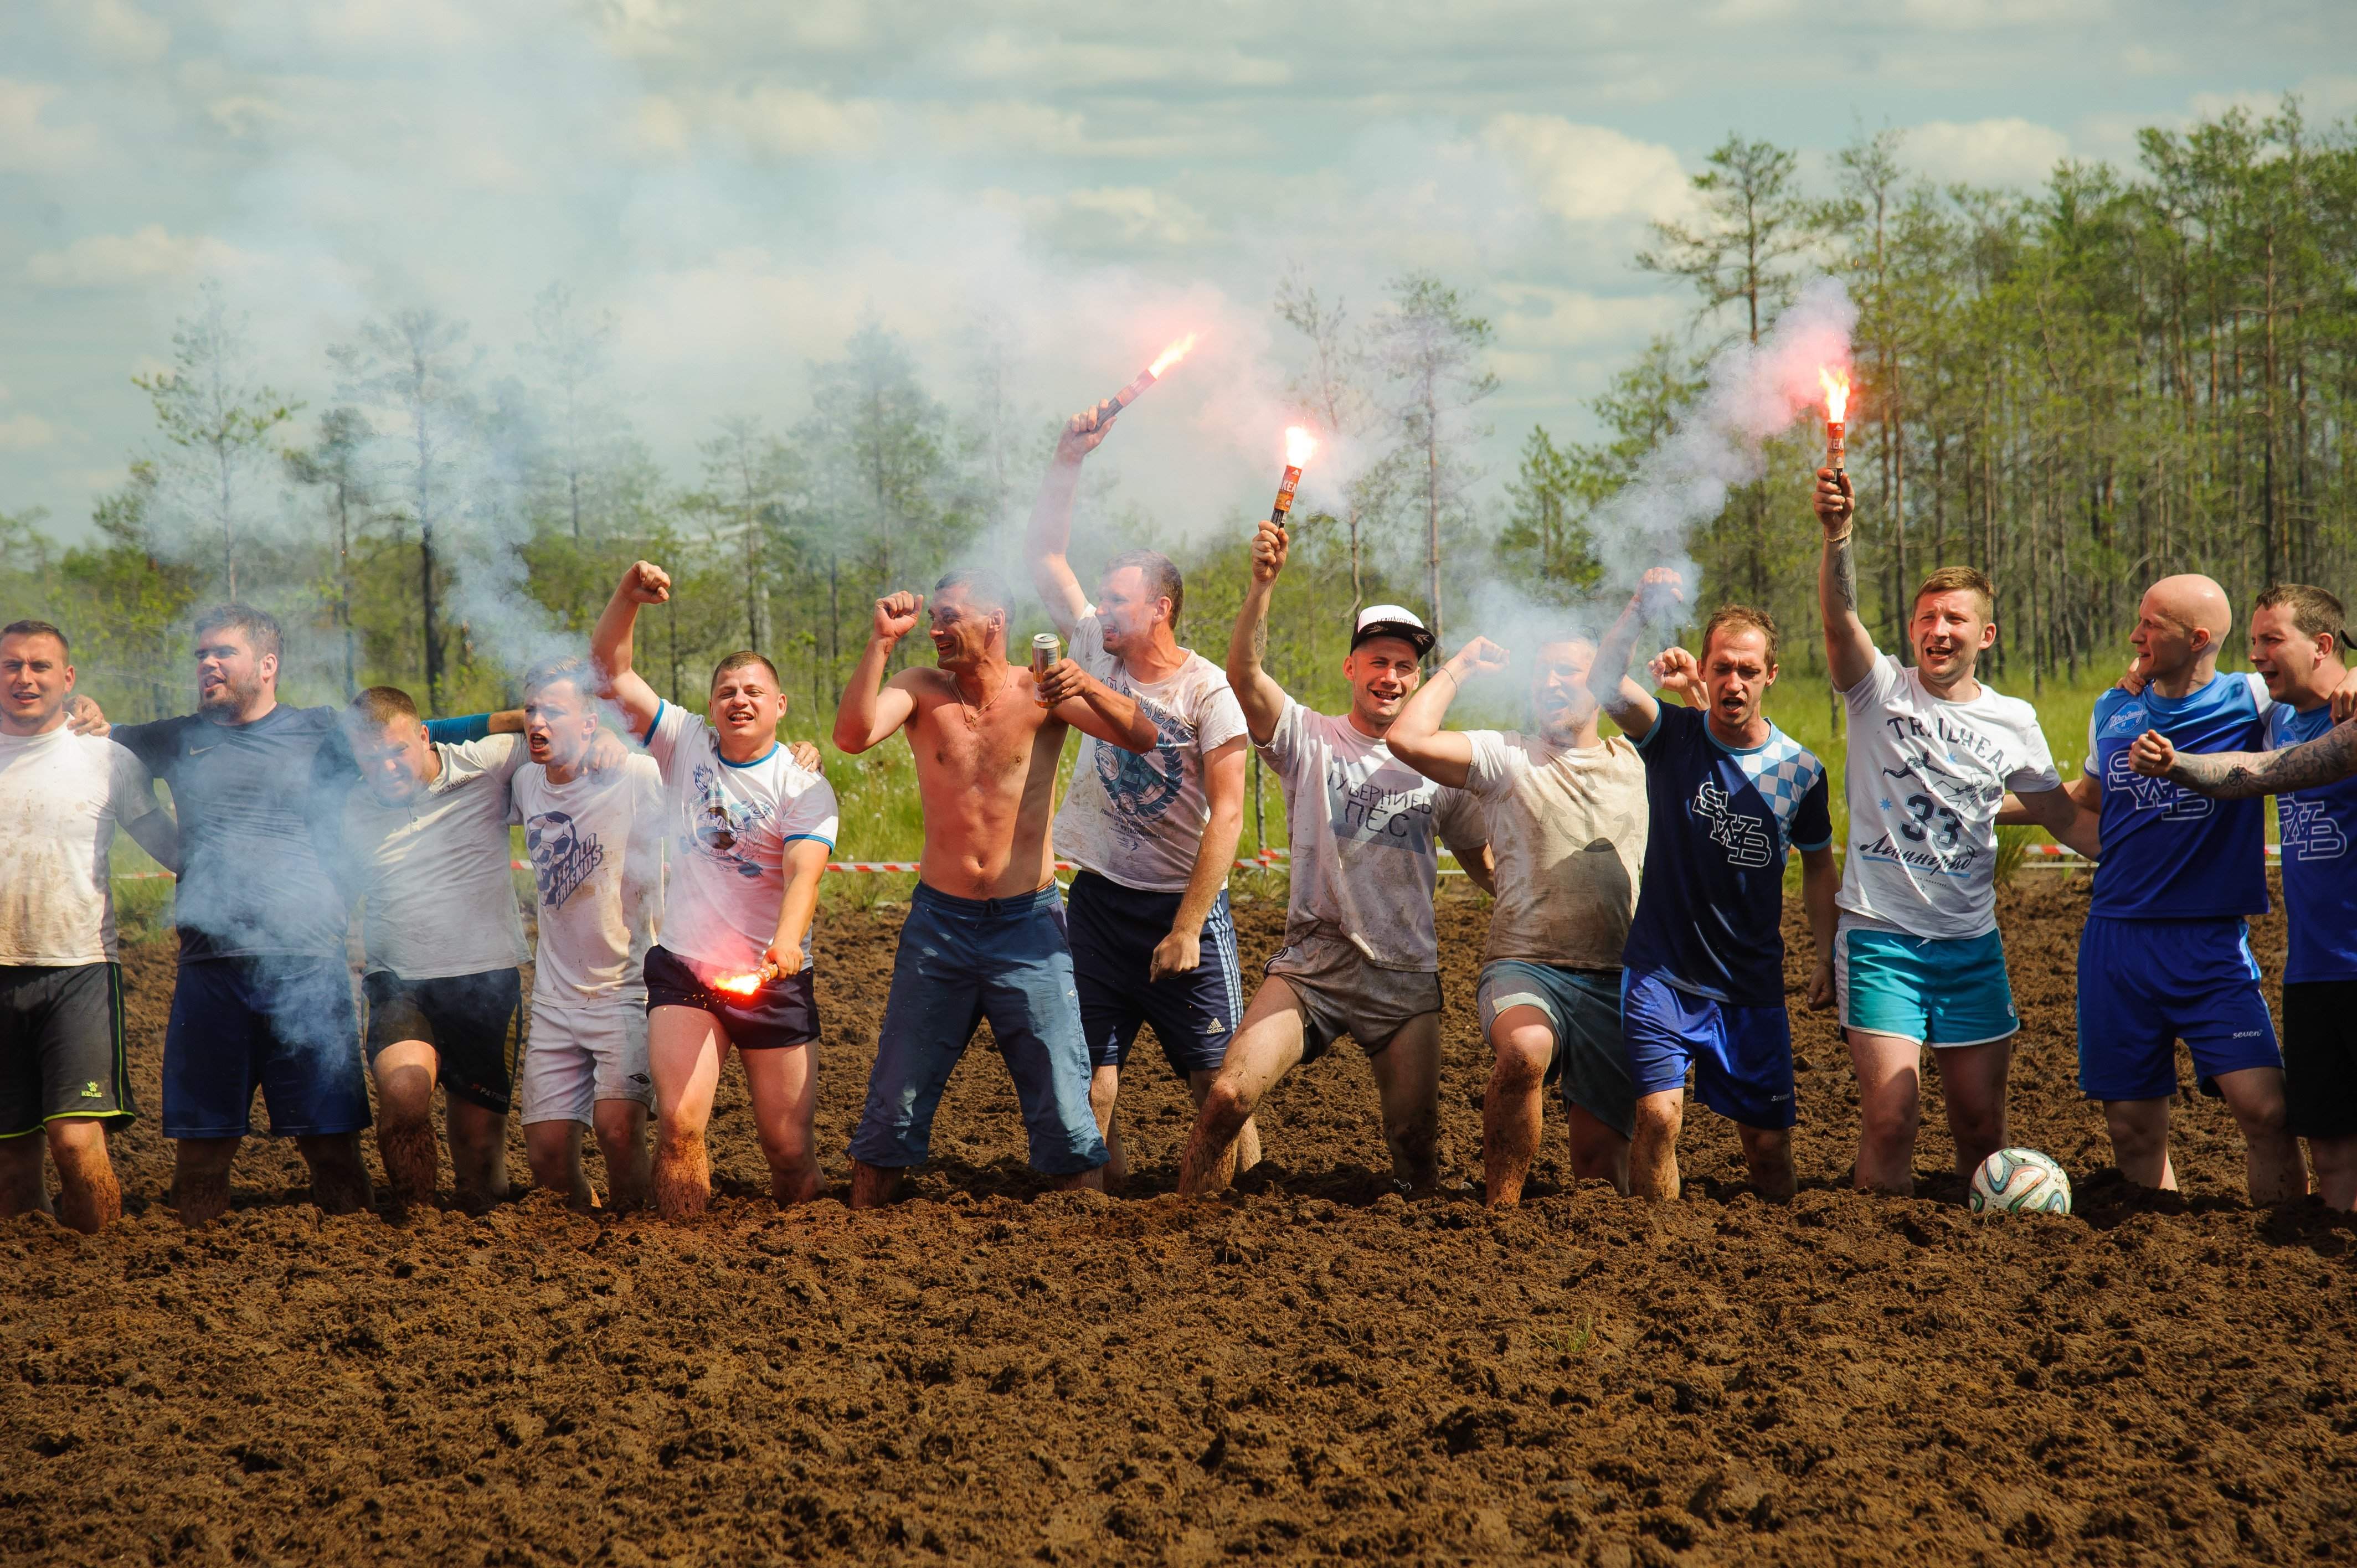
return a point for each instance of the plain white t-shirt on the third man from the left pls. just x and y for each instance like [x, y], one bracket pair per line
[435, 869]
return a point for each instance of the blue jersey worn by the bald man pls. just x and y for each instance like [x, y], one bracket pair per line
[2167, 852]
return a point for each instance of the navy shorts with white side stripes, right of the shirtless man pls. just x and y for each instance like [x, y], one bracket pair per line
[1116, 933]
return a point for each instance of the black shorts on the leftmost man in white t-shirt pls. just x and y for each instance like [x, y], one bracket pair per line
[62, 1046]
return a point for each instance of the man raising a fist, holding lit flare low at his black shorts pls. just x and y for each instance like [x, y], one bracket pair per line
[751, 838]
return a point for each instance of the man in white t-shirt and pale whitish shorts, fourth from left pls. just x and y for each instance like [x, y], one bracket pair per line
[595, 838]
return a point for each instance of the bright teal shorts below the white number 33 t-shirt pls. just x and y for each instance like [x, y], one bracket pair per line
[1927, 989]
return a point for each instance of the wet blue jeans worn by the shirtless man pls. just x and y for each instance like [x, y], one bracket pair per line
[965, 961]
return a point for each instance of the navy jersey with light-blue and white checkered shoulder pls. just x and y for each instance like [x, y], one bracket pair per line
[1712, 911]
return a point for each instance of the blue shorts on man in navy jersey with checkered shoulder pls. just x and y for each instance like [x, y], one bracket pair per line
[1741, 1055]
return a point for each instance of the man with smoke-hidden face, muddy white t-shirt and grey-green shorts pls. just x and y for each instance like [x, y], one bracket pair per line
[1566, 815]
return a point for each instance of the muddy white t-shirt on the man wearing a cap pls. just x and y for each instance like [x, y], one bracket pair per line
[1364, 826]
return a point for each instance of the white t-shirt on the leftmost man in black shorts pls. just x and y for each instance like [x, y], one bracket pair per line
[60, 803]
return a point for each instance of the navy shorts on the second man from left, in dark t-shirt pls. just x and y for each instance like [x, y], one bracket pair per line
[277, 1025]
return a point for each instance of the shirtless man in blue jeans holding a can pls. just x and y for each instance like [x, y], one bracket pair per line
[984, 935]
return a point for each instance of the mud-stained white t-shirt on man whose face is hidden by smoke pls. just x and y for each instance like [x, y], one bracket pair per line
[1569, 838]
